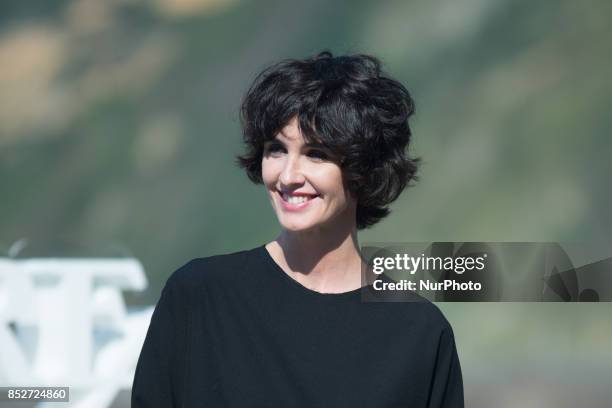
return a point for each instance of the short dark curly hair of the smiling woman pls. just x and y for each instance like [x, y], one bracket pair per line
[349, 105]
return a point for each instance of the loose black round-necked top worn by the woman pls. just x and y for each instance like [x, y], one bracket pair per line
[237, 331]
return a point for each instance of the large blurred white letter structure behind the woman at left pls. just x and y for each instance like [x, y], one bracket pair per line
[63, 322]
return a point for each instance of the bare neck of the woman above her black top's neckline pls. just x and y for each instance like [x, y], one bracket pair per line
[324, 261]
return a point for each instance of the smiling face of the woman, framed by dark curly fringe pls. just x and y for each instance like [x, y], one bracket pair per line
[305, 183]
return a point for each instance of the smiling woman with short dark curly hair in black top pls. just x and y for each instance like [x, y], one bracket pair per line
[283, 325]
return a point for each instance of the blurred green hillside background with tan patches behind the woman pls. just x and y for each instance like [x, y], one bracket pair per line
[119, 127]
